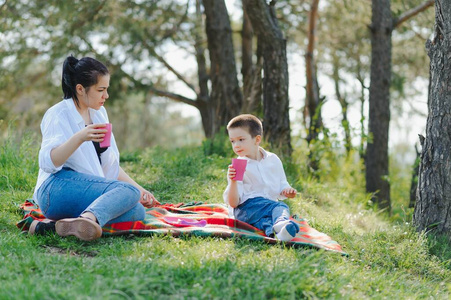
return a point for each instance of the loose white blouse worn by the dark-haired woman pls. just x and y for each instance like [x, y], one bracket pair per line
[60, 123]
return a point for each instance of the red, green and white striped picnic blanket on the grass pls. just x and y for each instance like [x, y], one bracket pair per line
[198, 219]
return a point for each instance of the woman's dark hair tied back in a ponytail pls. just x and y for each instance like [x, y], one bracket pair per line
[85, 71]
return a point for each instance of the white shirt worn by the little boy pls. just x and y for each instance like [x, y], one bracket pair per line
[265, 178]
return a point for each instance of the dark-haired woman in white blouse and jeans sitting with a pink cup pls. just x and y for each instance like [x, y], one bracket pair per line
[81, 185]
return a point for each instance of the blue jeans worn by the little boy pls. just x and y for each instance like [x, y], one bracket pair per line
[262, 213]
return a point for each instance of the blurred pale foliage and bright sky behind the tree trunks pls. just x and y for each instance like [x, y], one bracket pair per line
[36, 42]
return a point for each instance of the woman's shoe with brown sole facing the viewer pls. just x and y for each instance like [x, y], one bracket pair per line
[83, 228]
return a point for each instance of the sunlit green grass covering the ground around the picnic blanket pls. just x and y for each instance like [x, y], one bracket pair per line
[387, 258]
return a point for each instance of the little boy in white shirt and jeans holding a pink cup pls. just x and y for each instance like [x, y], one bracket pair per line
[255, 199]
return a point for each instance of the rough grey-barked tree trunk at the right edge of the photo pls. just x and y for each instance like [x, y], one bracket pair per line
[433, 207]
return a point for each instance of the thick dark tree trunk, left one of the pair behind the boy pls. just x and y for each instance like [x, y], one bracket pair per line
[225, 99]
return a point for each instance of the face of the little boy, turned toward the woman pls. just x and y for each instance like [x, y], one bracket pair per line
[243, 143]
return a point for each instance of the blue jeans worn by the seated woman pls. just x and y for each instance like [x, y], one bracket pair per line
[68, 194]
